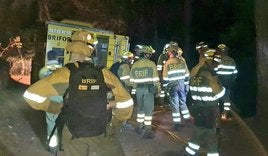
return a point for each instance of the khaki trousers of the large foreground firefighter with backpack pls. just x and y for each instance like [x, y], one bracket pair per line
[91, 146]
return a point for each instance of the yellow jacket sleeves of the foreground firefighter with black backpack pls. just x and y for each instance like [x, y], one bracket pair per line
[38, 94]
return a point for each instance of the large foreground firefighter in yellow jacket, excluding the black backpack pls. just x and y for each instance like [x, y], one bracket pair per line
[38, 97]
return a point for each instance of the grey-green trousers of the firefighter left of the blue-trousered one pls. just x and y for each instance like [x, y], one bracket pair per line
[145, 101]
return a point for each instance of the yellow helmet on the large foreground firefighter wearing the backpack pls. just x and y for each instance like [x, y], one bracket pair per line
[82, 42]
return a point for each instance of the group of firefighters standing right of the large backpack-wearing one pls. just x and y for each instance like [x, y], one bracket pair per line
[209, 82]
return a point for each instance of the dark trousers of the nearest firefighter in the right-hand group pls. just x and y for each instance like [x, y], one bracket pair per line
[205, 115]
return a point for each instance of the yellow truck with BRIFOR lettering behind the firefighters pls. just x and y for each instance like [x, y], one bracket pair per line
[108, 50]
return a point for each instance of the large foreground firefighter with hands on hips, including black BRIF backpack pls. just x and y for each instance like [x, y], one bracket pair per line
[85, 114]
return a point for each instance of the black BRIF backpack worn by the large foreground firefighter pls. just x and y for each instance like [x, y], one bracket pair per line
[85, 101]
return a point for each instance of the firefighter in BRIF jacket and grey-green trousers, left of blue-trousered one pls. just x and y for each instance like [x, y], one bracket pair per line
[144, 78]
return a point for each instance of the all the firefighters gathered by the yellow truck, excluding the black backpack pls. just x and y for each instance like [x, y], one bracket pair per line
[209, 84]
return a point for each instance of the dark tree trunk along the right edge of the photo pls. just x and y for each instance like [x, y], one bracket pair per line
[261, 21]
